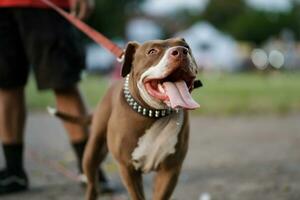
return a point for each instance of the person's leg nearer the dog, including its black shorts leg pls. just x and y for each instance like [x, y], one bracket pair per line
[57, 59]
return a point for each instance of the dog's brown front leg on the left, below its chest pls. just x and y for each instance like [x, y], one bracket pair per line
[133, 182]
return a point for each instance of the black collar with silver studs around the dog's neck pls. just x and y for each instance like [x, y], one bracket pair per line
[139, 108]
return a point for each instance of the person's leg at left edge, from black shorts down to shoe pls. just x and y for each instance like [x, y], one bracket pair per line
[13, 77]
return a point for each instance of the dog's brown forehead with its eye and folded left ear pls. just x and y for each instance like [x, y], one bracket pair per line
[142, 56]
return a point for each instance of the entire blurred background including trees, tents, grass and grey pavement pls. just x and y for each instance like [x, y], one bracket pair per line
[245, 138]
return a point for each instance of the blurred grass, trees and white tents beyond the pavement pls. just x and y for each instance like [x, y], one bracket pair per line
[248, 50]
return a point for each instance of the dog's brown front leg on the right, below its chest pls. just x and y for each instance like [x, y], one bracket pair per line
[165, 182]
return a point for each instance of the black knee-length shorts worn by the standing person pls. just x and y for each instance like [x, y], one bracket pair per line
[41, 40]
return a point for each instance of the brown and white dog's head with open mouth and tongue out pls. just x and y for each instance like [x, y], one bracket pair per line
[162, 71]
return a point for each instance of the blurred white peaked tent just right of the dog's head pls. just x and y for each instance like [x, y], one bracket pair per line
[212, 49]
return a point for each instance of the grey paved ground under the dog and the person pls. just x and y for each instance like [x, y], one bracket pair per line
[235, 158]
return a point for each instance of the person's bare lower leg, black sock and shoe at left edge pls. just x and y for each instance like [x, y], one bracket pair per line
[12, 120]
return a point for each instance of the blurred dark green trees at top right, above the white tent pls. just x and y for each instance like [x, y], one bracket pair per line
[245, 23]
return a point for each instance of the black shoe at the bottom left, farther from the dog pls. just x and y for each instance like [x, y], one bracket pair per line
[11, 182]
